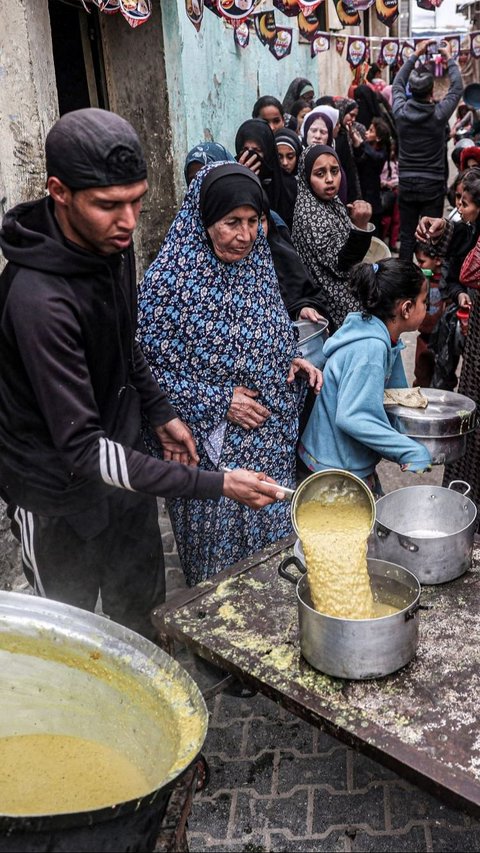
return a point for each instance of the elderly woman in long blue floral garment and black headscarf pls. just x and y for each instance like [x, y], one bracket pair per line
[217, 335]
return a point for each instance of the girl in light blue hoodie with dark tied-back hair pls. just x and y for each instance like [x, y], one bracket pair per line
[348, 427]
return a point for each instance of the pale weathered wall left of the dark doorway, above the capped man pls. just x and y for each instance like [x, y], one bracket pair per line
[28, 101]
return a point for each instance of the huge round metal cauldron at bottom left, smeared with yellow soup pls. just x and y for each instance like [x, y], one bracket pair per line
[66, 671]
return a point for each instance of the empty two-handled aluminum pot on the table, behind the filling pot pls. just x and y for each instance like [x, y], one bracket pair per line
[427, 529]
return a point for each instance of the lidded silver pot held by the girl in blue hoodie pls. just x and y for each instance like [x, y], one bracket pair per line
[442, 427]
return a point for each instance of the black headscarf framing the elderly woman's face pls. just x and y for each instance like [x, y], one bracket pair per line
[226, 188]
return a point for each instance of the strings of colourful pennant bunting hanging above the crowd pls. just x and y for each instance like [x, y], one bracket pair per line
[391, 51]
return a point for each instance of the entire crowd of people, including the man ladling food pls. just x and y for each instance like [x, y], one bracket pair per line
[203, 396]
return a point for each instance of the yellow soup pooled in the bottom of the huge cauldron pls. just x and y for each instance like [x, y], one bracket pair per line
[50, 774]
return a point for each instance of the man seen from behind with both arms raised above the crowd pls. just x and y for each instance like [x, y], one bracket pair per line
[422, 136]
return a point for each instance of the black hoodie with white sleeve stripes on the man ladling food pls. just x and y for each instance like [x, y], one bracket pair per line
[73, 380]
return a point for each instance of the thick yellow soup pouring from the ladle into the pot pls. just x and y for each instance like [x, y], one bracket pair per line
[334, 539]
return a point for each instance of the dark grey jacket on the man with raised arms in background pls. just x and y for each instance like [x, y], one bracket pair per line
[421, 126]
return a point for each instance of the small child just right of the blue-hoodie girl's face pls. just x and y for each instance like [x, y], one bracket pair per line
[429, 260]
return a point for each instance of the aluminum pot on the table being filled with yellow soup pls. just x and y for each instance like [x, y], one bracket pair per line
[360, 648]
